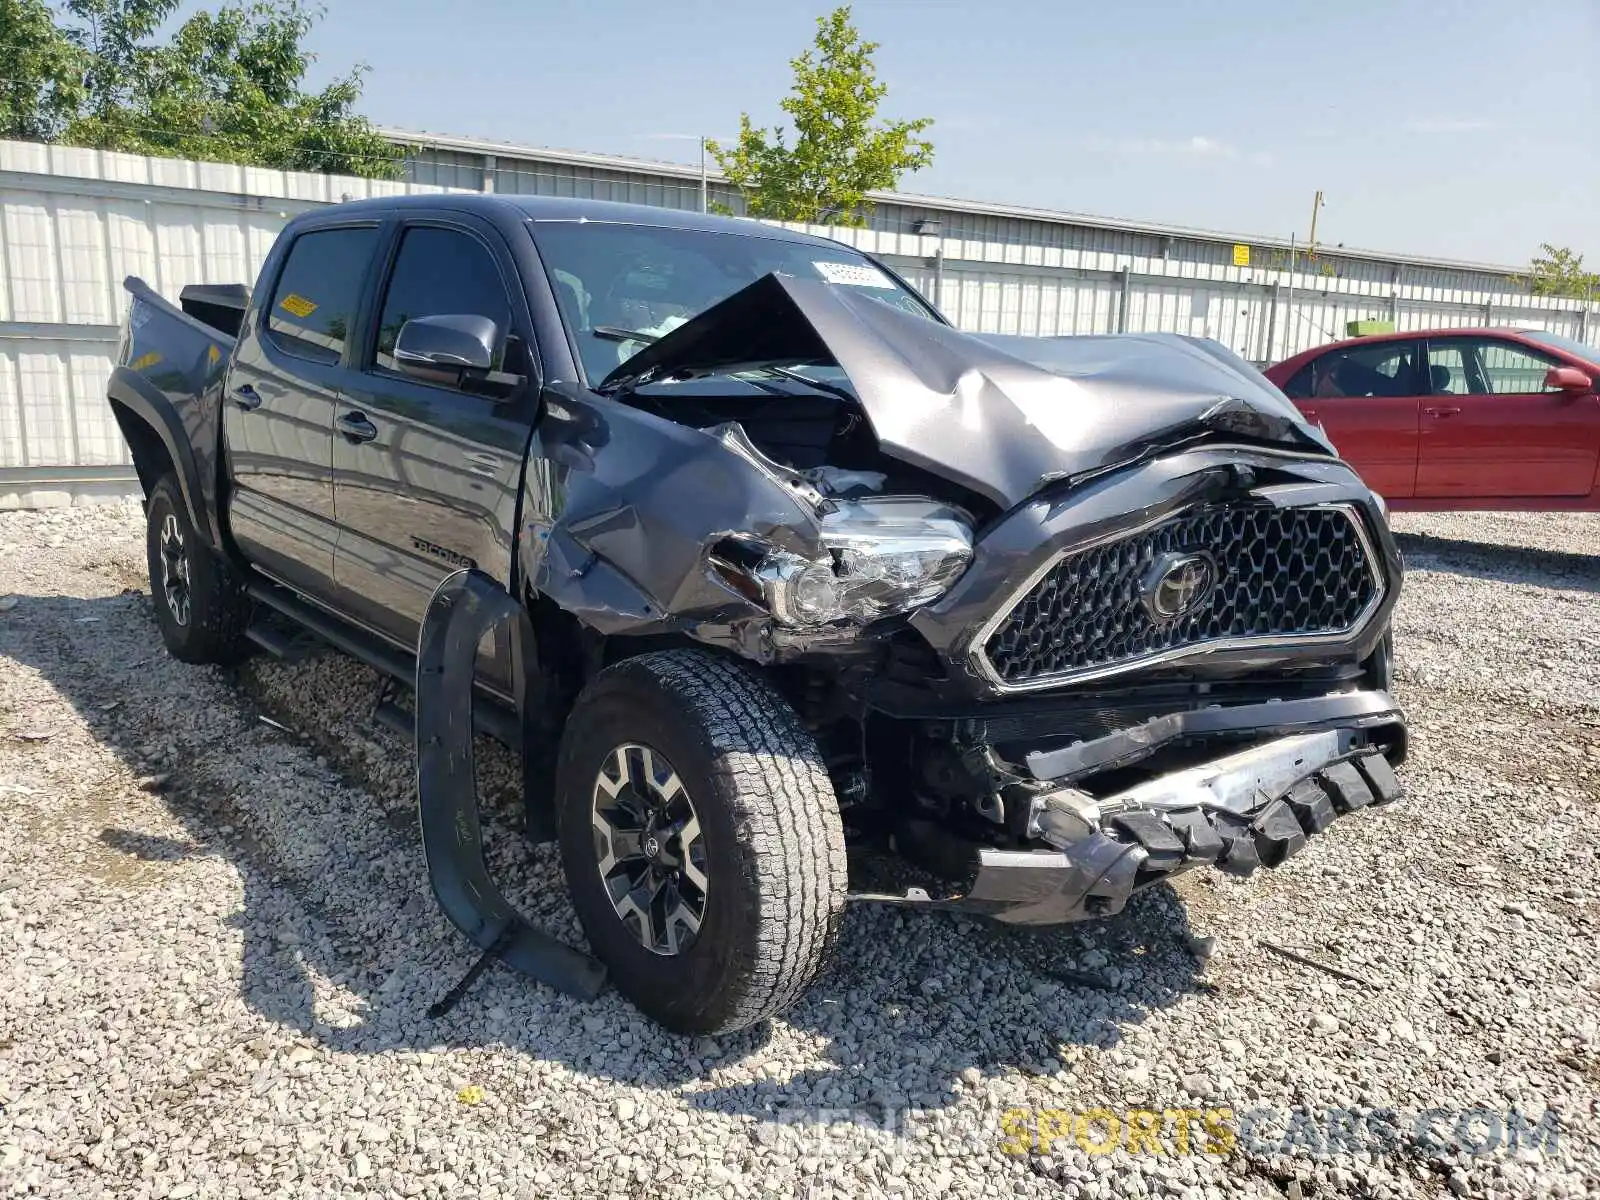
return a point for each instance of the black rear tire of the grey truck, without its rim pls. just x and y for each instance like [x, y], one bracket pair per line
[214, 630]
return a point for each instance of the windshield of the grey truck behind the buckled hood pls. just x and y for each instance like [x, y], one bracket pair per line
[620, 279]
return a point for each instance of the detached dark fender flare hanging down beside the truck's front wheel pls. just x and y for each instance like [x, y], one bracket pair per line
[463, 609]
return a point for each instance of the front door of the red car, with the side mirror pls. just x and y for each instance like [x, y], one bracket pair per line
[1492, 428]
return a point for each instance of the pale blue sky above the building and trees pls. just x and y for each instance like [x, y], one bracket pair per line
[1462, 129]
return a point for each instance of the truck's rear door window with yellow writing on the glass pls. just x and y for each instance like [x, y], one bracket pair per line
[318, 290]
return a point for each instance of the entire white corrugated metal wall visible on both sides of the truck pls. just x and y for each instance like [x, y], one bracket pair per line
[74, 223]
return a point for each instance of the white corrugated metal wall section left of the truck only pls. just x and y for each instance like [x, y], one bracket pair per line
[73, 226]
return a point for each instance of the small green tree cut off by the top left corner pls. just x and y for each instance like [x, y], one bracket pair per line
[41, 73]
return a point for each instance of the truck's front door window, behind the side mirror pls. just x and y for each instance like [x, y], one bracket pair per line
[441, 273]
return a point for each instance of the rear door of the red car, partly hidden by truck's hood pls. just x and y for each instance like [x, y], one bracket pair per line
[1367, 399]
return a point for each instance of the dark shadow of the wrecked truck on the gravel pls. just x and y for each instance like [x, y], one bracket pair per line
[918, 998]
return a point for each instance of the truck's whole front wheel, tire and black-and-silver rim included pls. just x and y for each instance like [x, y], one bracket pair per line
[702, 841]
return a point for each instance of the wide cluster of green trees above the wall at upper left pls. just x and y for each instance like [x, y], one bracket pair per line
[225, 87]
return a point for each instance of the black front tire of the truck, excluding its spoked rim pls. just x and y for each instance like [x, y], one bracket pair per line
[775, 844]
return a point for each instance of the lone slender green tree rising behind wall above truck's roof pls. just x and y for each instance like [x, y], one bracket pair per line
[841, 151]
